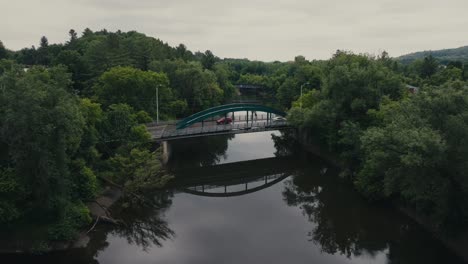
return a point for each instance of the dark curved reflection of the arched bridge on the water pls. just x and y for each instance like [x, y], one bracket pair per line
[233, 179]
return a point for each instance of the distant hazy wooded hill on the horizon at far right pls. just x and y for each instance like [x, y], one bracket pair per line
[445, 55]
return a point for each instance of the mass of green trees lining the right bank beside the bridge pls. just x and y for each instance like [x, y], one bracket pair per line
[401, 143]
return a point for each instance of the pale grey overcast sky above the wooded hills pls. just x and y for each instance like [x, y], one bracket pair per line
[256, 29]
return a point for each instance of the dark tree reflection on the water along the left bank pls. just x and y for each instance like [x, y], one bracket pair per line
[143, 227]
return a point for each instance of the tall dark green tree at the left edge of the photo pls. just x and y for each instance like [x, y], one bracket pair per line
[40, 130]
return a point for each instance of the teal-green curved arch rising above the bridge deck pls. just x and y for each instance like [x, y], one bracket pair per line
[224, 109]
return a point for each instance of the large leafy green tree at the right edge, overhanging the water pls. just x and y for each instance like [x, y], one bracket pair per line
[416, 151]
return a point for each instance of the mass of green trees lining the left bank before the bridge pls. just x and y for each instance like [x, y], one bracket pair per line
[55, 145]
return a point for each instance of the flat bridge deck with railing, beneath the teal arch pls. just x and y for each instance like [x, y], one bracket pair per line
[166, 132]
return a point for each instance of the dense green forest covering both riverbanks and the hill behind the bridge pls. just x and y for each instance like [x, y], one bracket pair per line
[73, 115]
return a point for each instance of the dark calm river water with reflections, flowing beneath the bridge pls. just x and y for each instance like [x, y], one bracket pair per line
[251, 199]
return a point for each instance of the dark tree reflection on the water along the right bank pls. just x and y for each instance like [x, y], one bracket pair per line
[343, 223]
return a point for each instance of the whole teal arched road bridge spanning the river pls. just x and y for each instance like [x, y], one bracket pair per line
[203, 123]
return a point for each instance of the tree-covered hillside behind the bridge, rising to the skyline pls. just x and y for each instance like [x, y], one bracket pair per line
[188, 81]
